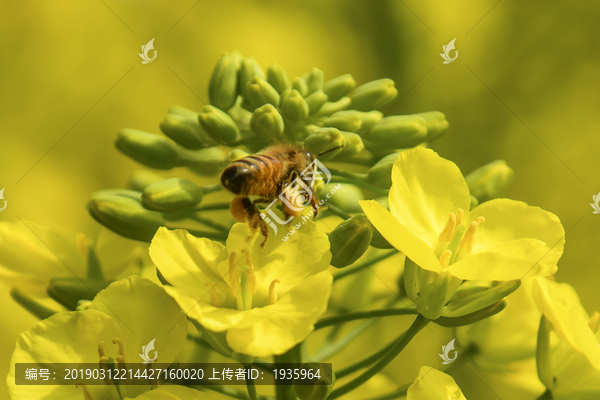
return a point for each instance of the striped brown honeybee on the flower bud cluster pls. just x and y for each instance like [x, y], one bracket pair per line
[268, 174]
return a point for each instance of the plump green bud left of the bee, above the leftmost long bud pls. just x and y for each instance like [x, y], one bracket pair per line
[172, 195]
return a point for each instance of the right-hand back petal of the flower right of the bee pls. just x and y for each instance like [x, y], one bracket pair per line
[507, 220]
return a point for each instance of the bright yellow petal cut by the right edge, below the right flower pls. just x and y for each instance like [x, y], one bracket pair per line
[560, 304]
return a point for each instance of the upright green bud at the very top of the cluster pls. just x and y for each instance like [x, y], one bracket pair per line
[222, 89]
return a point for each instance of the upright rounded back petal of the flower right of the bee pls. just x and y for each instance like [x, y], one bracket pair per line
[425, 188]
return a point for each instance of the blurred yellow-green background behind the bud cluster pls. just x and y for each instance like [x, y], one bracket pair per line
[524, 88]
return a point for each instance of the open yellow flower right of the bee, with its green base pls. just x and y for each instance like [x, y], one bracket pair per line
[429, 221]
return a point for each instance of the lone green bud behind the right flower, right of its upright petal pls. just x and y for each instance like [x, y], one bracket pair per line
[489, 181]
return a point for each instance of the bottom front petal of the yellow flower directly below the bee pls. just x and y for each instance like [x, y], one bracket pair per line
[288, 322]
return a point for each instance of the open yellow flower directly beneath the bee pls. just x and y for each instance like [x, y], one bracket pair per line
[265, 301]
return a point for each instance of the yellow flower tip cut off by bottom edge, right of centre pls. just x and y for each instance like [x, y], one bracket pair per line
[432, 384]
